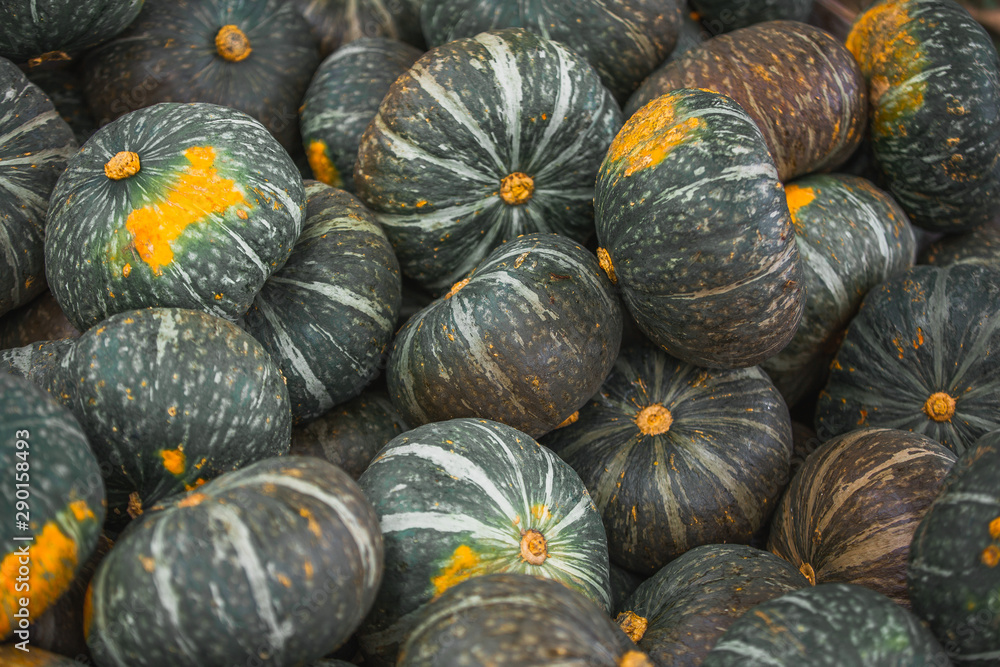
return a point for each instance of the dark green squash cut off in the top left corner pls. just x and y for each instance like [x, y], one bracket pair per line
[30, 28]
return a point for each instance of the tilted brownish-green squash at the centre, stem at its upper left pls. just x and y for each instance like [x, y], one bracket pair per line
[526, 340]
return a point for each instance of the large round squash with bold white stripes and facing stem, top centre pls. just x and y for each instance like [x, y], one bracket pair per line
[482, 140]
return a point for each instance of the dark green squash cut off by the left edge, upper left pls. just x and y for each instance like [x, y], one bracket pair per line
[35, 144]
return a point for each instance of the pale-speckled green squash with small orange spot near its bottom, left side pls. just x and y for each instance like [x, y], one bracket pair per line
[149, 383]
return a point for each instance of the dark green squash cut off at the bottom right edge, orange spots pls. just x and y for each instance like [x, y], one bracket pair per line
[951, 582]
